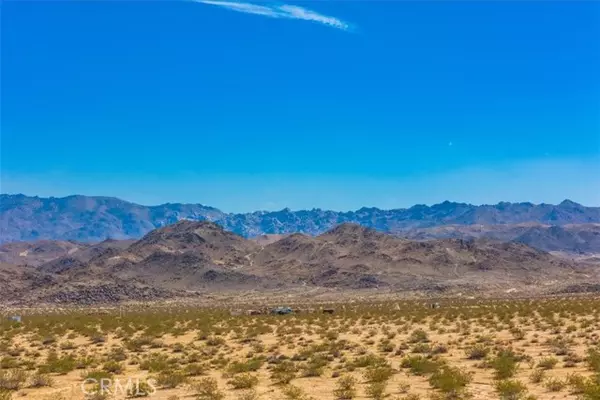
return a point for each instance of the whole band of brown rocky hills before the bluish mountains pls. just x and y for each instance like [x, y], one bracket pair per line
[190, 258]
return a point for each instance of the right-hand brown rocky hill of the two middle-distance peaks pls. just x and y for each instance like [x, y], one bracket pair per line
[356, 257]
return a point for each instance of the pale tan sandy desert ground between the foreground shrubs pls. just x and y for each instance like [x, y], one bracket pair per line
[530, 328]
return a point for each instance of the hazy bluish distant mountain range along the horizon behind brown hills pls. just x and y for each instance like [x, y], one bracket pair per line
[567, 226]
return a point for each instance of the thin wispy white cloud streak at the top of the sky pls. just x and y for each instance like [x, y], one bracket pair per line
[280, 11]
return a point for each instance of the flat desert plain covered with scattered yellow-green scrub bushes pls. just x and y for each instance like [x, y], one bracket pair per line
[374, 351]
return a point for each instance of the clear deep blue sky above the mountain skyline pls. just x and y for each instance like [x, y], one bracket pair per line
[336, 105]
